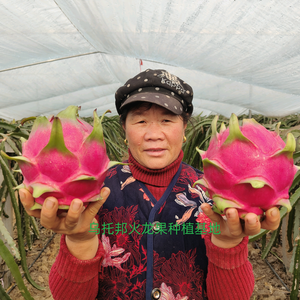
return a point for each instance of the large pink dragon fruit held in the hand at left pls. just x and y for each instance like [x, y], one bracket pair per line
[64, 157]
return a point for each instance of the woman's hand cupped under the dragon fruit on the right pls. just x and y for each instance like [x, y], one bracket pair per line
[232, 230]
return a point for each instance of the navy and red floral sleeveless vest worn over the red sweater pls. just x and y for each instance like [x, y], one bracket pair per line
[152, 247]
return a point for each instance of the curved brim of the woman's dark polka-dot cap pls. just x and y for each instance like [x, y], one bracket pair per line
[160, 99]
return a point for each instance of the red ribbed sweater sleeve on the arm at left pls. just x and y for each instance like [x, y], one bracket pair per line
[72, 278]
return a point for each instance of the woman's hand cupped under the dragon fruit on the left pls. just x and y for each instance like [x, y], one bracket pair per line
[75, 224]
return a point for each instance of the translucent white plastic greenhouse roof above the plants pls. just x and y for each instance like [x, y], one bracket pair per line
[237, 55]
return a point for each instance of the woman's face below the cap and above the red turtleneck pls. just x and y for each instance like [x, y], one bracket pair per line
[154, 136]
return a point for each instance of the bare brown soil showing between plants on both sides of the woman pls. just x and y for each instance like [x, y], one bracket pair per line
[267, 285]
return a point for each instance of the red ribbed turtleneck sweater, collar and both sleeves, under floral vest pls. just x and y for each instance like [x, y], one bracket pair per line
[229, 275]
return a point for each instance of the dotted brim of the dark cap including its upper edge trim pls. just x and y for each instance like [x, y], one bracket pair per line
[159, 96]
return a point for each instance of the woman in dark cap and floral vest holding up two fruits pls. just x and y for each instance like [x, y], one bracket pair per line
[150, 246]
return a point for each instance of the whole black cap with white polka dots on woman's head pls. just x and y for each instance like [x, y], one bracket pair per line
[159, 87]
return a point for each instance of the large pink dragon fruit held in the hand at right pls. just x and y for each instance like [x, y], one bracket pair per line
[248, 167]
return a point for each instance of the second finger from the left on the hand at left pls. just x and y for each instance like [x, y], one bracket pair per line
[49, 218]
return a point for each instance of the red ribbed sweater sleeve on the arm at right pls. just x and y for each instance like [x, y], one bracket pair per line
[230, 275]
